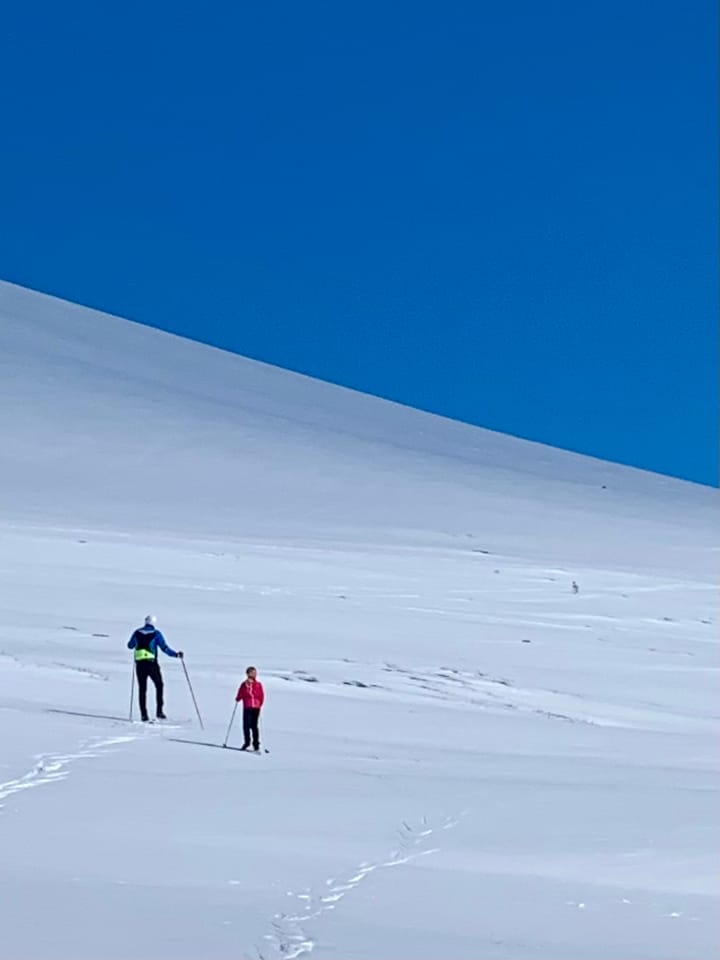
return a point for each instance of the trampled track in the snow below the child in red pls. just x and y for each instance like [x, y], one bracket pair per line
[289, 938]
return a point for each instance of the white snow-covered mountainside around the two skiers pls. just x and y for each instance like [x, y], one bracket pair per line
[467, 760]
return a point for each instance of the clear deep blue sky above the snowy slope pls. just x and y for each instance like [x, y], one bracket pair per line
[502, 212]
